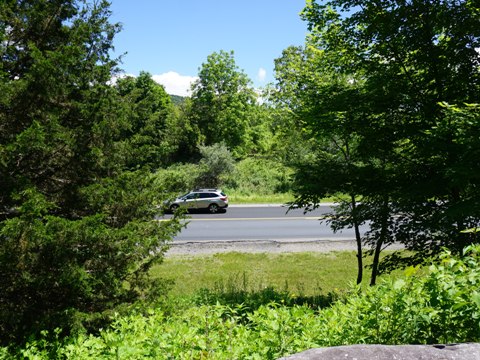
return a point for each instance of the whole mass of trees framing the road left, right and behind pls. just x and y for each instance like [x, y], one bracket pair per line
[379, 106]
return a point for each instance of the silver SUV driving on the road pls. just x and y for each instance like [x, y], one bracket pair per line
[212, 200]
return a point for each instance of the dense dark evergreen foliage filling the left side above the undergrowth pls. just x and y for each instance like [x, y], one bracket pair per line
[77, 199]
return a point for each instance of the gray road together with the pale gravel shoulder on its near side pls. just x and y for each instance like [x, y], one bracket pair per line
[256, 228]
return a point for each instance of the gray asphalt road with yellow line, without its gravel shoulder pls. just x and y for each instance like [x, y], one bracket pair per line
[240, 223]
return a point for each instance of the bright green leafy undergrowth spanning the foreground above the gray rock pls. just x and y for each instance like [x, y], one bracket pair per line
[442, 306]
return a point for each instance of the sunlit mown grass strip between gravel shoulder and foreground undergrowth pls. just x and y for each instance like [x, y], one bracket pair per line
[305, 274]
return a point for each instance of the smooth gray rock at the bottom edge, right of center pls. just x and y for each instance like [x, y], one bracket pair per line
[392, 352]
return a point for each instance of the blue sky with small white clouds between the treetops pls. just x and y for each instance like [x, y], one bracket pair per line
[171, 39]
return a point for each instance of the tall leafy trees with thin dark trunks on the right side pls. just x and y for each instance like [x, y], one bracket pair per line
[371, 90]
